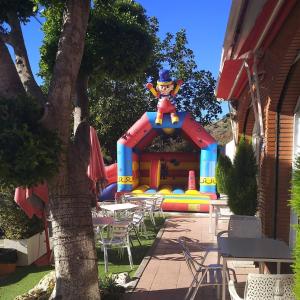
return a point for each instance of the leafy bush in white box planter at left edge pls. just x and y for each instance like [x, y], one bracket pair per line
[21, 233]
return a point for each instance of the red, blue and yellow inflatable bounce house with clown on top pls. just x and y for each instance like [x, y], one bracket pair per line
[187, 180]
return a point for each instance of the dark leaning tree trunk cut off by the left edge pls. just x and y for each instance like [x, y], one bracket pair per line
[10, 84]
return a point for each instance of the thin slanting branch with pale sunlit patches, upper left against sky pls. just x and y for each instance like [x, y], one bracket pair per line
[22, 61]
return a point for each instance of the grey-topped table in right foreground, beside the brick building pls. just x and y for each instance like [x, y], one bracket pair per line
[252, 249]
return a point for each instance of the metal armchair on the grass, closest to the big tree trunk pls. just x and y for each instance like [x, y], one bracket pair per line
[119, 238]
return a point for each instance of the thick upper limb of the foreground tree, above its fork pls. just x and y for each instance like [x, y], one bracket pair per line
[68, 59]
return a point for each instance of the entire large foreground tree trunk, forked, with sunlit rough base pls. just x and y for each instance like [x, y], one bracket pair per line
[70, 202]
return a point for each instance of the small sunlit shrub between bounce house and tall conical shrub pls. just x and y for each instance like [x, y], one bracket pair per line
[223, 168]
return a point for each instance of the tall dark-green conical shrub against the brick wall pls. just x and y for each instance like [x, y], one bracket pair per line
[242, 185]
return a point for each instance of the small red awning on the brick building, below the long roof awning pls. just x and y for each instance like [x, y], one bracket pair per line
[228, 77]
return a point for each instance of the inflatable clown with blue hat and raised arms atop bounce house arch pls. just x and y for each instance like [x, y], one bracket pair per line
[166, 93]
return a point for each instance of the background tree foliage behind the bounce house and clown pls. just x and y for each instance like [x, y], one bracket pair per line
[128, 100]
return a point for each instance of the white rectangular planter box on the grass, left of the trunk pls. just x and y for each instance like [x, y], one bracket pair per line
[28, 250]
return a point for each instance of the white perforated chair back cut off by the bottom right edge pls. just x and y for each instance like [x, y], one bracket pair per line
[265, 287]
